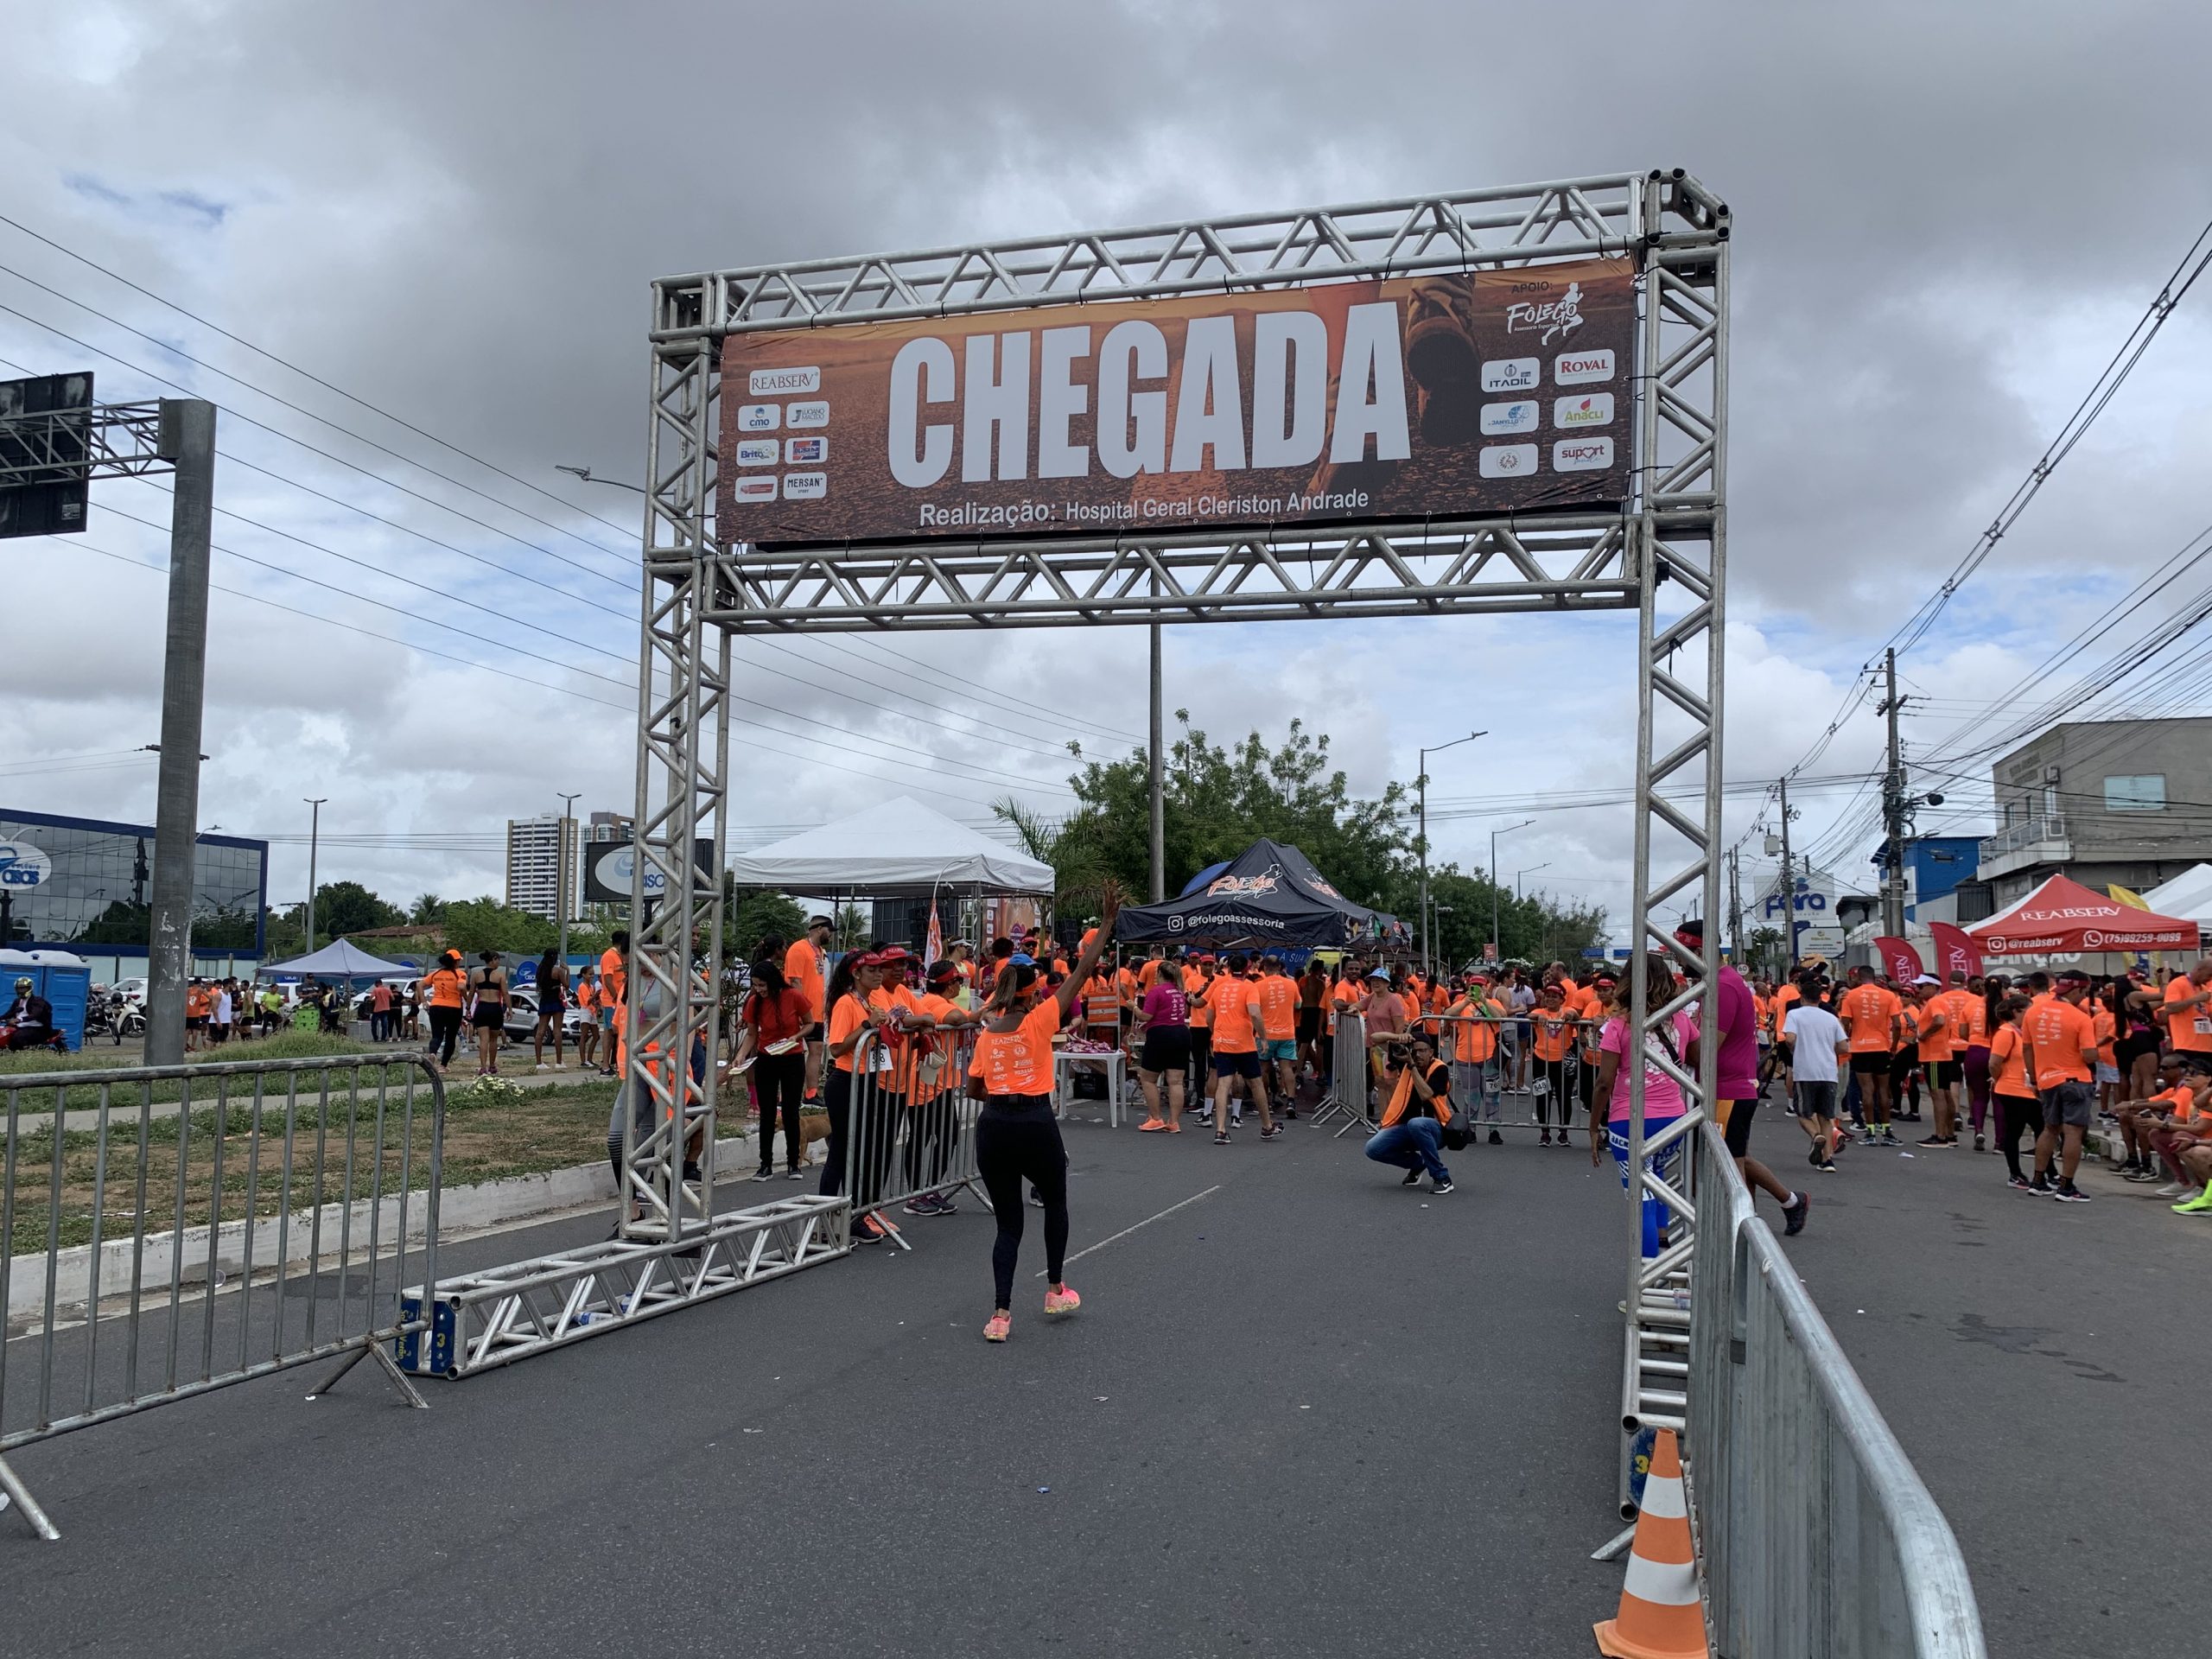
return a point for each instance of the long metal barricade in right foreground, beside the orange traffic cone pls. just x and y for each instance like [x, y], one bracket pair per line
[1813, 1530]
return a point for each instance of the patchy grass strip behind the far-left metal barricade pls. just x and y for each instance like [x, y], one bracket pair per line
[541, 1129]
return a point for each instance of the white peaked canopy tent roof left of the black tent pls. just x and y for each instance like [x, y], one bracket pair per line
[893, 851]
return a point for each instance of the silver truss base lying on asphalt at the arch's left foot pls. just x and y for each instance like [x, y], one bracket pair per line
[530, 1306]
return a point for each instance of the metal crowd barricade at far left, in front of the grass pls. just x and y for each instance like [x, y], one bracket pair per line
[180, 1229]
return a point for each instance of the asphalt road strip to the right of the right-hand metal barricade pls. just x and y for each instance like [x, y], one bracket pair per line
[2036, 1359]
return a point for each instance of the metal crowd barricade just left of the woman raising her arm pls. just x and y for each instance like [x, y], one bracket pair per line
[912, 1127]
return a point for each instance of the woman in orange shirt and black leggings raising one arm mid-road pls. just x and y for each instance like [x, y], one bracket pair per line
[1016, 1134]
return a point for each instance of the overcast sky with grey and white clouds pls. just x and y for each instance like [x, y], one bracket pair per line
[1948, 218]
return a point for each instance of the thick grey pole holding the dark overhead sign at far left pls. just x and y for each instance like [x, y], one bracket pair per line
[187, 441]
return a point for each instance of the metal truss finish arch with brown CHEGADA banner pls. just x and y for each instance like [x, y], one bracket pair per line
[1488, 401]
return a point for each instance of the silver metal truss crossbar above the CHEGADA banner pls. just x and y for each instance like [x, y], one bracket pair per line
[1461, 231]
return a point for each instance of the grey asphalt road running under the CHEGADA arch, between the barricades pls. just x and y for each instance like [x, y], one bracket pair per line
[1304, 1415]
